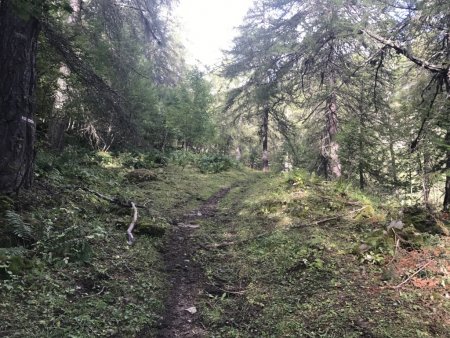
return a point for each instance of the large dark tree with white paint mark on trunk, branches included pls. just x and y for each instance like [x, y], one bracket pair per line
[20, 24]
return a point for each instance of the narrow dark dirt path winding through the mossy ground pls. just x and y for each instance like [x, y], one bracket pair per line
[186, 279]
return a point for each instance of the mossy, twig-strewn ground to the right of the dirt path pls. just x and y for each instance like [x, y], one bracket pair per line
[302, 279]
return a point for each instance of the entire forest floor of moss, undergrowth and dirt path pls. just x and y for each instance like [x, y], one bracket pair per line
[234, 254]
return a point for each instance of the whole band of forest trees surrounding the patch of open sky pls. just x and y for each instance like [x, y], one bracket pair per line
[352, 89]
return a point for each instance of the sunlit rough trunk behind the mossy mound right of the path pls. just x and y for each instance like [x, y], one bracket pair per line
[330, 146]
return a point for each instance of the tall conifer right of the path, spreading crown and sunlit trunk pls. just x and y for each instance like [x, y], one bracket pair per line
[304, 52]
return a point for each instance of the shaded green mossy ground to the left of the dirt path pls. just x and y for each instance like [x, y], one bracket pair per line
[84, 279]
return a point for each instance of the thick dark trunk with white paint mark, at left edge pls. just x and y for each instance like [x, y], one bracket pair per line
[18, 48]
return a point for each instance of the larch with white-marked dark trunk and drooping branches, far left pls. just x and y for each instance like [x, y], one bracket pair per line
[21, 22]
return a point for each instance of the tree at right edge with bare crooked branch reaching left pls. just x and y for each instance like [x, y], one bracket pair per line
[429, 51]
